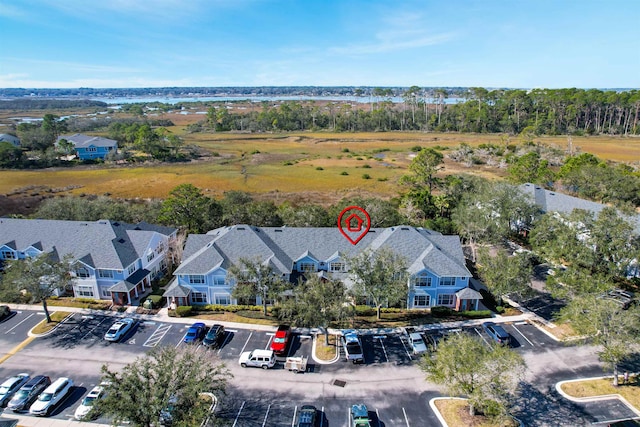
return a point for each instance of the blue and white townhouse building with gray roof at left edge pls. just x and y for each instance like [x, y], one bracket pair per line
[111, 260]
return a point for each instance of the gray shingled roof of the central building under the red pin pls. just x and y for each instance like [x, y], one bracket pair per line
[281, 247]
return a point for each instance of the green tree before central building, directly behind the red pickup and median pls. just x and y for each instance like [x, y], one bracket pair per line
[317, 303]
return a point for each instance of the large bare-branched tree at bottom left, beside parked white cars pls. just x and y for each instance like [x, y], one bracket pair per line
[141, 390]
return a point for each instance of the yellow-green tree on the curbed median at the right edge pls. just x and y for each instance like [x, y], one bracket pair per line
[615, 331]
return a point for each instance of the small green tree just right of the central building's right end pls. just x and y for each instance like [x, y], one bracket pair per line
[505, 274]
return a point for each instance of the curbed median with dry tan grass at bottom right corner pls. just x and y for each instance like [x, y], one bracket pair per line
[602, 388]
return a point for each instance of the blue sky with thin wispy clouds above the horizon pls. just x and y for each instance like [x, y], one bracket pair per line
[145, 43]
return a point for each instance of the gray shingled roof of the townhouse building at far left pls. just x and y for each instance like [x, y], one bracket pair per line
[101, 244]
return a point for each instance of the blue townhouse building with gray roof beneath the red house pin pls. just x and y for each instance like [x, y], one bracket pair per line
[436, 264]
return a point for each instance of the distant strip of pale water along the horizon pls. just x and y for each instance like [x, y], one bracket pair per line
[256, 99]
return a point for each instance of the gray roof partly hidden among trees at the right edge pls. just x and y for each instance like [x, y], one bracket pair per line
[552, 201]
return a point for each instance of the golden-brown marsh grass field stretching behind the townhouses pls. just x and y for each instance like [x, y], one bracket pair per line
[322, 167]
